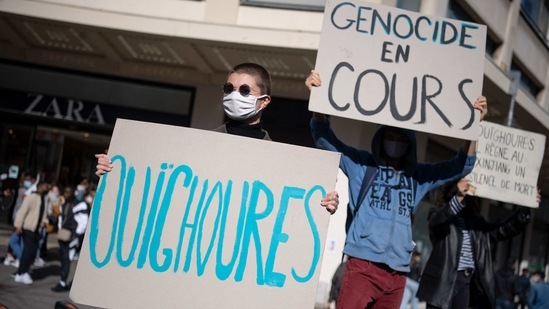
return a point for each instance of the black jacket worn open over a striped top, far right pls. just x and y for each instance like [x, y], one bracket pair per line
[438, 278]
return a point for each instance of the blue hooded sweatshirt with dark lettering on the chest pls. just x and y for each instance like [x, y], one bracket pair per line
[381, 231]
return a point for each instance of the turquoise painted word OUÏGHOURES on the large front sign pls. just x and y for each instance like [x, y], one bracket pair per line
[206, 220]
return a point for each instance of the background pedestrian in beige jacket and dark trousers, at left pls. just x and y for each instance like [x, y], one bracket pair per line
[29, 221]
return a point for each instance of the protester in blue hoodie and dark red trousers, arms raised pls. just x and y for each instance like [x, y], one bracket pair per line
[379, 241]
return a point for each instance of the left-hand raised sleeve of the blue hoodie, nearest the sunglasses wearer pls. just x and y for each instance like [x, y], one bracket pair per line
[325, 138]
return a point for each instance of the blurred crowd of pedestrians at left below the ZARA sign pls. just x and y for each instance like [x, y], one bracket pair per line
[39, 209]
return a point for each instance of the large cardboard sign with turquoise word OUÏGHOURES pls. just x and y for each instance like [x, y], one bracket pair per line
[199, 219]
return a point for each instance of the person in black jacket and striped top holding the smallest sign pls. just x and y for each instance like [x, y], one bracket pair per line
[460, 268]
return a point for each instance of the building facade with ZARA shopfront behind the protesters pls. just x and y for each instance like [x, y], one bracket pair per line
[69, 68]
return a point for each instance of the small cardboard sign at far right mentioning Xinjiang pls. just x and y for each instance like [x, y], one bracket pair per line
[508, 163]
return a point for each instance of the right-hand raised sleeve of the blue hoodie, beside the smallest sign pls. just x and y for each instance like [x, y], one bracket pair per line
[433, 175]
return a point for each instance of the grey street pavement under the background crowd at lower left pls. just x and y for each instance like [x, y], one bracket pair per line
[39, 294]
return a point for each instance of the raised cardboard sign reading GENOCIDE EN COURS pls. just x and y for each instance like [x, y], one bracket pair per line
[396, 67]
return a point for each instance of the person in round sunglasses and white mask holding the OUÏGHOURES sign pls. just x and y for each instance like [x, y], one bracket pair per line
[246, 93]
